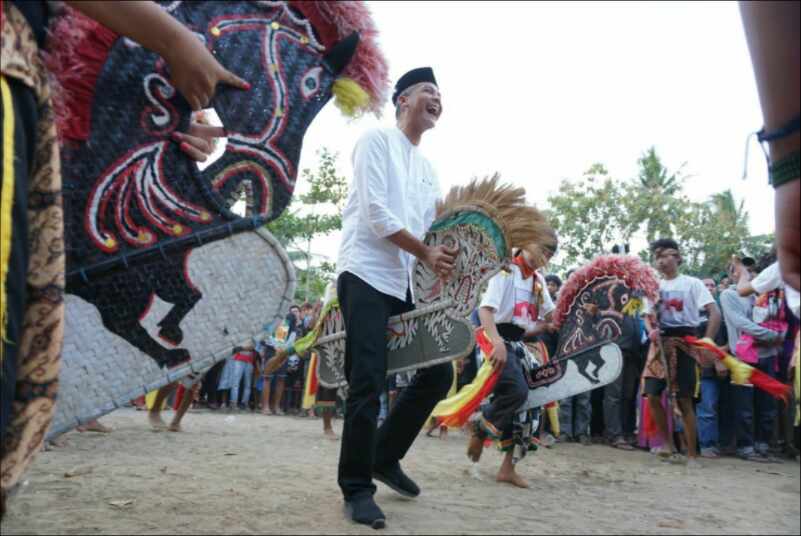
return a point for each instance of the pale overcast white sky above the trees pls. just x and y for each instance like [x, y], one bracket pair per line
[540, 91]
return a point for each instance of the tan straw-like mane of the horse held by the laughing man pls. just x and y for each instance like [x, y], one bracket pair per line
[521, 223]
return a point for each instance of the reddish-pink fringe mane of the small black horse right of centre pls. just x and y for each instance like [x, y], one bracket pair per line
[632, 270]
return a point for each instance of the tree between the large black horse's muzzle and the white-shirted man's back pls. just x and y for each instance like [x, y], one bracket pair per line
[309, 216]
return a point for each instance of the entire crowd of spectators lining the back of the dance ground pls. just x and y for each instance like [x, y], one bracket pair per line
[732, 420]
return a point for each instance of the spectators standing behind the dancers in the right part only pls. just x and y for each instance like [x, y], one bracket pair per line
[732, 420]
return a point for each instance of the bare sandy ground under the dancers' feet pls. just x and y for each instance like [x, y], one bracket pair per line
[247, 473]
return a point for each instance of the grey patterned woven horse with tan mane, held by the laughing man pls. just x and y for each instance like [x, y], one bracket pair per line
[485, 220]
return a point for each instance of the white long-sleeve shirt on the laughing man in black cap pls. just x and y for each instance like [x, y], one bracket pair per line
[394, 187]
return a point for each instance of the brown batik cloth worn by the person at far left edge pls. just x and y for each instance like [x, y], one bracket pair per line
[39, 347]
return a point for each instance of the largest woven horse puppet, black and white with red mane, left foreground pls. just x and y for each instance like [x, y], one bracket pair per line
[151, 241]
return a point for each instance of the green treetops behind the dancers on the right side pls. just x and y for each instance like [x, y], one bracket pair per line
[597, 211]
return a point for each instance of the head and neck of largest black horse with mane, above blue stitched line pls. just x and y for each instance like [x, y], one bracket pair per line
[128, 187]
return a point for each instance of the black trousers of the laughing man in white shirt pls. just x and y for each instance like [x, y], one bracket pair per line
[365, 312]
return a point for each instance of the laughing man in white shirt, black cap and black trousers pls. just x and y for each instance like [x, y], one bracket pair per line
[390, 207]
